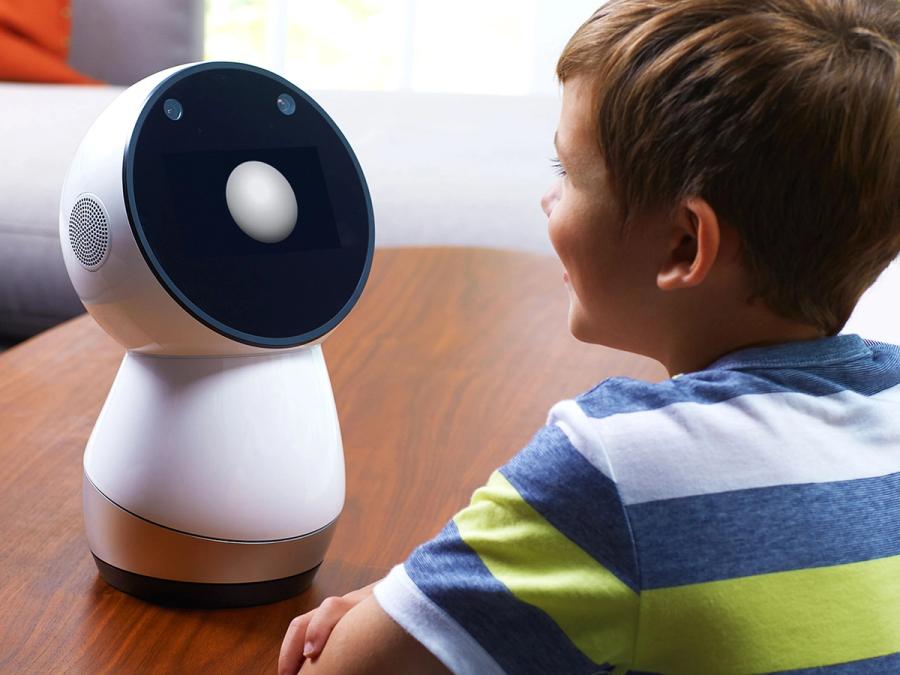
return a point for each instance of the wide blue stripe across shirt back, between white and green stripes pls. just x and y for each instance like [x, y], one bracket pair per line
[740, 533]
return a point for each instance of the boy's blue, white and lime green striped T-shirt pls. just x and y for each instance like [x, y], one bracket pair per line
[744, 518]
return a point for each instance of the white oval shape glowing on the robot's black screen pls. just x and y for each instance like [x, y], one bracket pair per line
[261, 201]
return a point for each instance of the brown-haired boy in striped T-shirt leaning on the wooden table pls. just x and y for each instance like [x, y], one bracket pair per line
[731, 186]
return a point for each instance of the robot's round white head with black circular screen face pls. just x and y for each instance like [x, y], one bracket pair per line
[215, 208]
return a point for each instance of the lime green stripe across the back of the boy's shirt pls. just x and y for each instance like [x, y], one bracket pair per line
[769, 622]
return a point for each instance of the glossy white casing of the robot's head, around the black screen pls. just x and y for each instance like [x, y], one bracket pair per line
[123, 294]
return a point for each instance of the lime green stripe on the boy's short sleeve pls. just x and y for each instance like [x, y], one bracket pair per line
[544, 568]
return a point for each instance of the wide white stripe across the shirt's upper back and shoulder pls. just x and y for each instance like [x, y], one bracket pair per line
[754, 440]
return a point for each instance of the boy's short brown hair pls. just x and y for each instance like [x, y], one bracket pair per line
[784, 115]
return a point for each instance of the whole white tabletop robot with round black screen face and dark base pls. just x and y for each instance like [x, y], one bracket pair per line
[217, 224]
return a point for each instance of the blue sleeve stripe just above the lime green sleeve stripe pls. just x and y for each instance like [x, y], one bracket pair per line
[569, 492]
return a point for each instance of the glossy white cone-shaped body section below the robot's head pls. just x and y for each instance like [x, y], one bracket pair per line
[243, 449]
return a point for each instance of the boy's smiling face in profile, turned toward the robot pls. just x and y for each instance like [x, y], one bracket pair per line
[610, 280]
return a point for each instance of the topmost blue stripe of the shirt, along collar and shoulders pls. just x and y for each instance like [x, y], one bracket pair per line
[867, 370]
